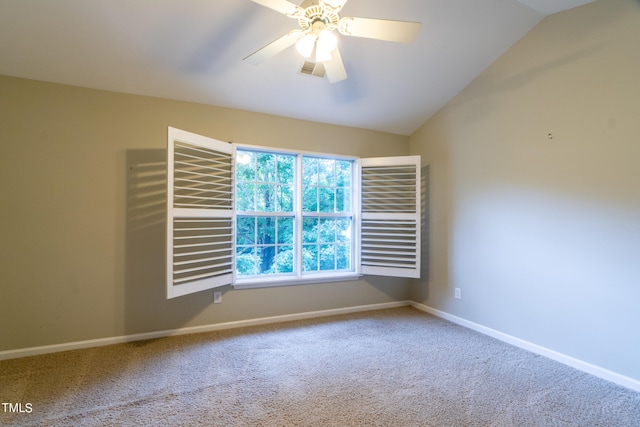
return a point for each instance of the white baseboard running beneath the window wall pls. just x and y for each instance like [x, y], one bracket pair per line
[34, 351]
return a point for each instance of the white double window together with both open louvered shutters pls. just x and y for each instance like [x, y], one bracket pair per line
[254, 217]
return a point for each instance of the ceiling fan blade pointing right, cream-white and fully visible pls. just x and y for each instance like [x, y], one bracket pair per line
[381, 29]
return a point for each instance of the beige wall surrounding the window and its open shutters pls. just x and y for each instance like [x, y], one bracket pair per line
[82, 218]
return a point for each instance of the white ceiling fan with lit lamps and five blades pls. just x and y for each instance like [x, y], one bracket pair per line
[315, 39]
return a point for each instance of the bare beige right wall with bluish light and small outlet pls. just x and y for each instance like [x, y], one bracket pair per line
[543, 235]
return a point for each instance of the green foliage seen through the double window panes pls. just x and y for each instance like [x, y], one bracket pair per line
[265, 183]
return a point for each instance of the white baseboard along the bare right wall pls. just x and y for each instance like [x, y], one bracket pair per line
[597, 371]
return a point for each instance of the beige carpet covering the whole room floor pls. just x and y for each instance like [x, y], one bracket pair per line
[397, 367]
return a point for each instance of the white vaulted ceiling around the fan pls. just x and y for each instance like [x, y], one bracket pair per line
[192, 50]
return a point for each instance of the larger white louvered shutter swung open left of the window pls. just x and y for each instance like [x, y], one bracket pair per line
[199, 213]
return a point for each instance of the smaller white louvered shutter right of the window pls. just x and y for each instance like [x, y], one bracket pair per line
[390, 216]
